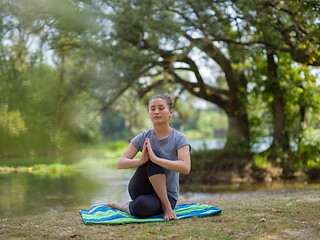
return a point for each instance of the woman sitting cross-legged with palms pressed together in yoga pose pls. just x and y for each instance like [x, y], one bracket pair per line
[154, 188]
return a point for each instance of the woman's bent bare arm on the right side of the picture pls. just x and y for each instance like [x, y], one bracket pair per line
[182, 165]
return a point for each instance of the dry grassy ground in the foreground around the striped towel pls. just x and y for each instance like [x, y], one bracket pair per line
[281, 214]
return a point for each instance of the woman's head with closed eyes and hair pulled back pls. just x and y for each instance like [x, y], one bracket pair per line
[159, 111]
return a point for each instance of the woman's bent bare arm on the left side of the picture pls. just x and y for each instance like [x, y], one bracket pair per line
[127, 161]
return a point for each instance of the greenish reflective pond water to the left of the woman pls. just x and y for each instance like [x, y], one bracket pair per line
[23, 193]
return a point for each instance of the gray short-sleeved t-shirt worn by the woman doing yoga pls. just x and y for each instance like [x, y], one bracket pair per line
[166, 148]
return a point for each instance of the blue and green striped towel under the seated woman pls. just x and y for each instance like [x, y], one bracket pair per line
[101, 214]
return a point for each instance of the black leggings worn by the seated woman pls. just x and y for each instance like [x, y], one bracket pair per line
[145, 202]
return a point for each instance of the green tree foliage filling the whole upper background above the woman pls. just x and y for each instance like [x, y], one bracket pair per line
[63, 63]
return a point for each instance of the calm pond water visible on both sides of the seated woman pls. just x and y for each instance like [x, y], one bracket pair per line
[26, 193]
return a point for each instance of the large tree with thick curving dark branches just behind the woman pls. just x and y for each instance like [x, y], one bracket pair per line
[140, 25]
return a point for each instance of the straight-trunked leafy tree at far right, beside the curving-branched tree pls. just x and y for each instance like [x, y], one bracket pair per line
[283, 29]
